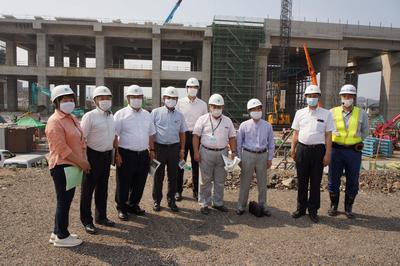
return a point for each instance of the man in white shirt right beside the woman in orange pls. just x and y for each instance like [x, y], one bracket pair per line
[99, 131]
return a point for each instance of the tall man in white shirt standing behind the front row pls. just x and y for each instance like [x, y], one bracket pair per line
[192, 108]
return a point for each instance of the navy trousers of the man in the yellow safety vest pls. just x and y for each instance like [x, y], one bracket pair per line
[348, 160]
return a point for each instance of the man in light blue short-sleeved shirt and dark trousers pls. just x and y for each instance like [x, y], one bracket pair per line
[170, 146]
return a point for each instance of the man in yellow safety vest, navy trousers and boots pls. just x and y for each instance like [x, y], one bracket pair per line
[351, 128]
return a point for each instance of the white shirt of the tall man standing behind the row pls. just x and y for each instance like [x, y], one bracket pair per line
[191, 110]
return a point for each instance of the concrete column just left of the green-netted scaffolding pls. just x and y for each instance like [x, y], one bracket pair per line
[206, 65]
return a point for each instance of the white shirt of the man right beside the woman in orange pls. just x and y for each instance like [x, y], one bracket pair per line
[99, 130]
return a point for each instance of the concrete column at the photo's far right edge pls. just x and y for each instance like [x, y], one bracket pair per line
[390, 85]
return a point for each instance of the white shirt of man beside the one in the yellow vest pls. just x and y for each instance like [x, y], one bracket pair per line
[312, 125]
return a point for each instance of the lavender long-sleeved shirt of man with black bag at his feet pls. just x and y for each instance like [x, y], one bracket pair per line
[256, 136]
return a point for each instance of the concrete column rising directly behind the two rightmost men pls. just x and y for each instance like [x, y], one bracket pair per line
[332, 65]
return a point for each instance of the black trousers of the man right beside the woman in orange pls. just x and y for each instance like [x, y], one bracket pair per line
[96, 181]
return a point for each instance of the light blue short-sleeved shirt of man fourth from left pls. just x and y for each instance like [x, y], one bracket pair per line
[168, 125]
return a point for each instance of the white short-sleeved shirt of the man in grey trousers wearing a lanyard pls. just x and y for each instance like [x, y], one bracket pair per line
[214, 133]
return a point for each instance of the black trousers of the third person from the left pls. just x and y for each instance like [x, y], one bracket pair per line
[131, 178]
